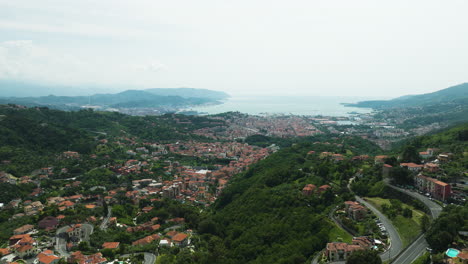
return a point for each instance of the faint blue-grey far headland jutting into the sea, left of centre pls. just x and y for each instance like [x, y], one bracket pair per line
[189, 92]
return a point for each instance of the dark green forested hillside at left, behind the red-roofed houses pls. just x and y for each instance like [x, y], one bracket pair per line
[31, 136]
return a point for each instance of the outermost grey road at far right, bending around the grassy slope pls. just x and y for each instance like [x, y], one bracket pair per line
[418, 247]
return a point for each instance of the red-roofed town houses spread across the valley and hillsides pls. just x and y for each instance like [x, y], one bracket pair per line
[133, 197]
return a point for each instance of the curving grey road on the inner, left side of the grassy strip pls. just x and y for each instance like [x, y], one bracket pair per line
[396, 245]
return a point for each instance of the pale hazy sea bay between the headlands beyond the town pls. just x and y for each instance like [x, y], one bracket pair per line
[296, 105]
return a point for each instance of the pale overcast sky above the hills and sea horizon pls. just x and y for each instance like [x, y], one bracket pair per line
[259, 47]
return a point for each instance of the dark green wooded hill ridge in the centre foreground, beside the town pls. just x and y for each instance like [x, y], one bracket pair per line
[262, 216]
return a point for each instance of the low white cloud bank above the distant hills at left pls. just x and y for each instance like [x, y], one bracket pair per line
[28, 61]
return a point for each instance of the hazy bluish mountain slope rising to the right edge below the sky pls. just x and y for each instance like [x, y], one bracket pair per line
[458, 93]
